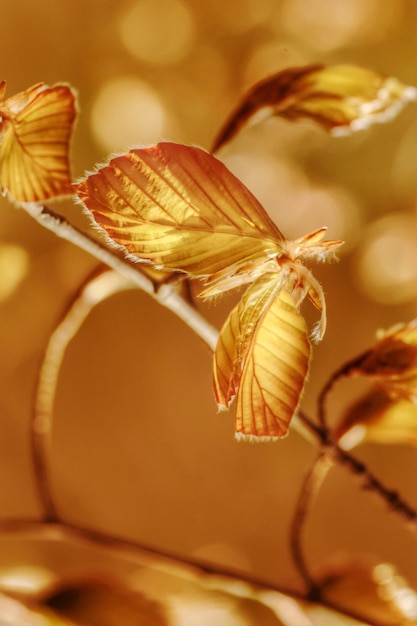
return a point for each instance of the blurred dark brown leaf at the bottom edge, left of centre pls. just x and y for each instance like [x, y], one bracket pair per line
[97, 602]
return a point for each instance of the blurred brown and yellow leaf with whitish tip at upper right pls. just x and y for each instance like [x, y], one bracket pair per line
[341, 98]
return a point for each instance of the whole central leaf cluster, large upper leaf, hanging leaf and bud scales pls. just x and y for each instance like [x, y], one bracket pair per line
[180, 209]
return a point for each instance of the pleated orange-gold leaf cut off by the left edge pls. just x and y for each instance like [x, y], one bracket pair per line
[35, 131]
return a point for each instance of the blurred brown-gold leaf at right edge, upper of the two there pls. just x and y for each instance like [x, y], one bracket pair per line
[392, 362]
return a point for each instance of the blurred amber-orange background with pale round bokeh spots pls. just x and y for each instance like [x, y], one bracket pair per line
[139, 449]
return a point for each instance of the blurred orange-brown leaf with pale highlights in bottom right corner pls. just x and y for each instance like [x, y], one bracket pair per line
[376, 592]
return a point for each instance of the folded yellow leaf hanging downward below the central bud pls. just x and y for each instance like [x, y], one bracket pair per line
[263, 356]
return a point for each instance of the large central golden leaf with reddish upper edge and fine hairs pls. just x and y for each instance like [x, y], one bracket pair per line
[181, 209]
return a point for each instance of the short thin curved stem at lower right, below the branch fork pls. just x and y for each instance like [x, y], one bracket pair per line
[310, 488]
